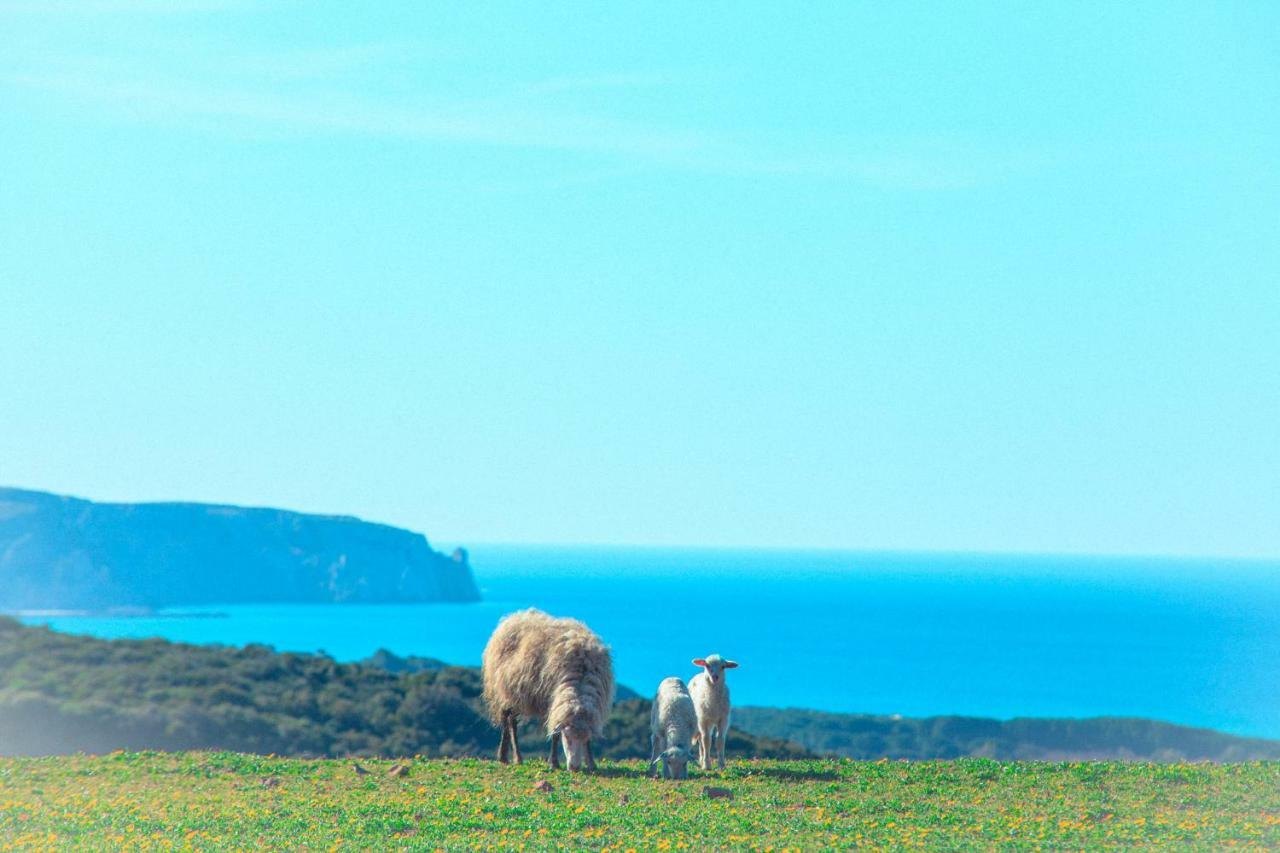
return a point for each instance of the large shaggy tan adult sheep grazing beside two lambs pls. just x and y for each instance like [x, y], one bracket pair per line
[552, 669]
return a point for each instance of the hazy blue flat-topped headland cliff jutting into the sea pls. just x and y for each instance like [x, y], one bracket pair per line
[61, 553]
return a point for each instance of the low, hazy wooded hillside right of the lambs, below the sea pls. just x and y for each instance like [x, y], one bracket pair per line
[858, 736]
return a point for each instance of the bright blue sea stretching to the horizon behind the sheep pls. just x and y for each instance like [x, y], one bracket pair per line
[1191, 642]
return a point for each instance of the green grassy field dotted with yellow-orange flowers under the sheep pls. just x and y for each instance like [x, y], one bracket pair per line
[220, 801]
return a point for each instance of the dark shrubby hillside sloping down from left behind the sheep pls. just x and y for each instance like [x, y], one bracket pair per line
[62, 694]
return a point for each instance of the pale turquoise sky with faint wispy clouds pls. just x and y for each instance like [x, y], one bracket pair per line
[977, 277]
